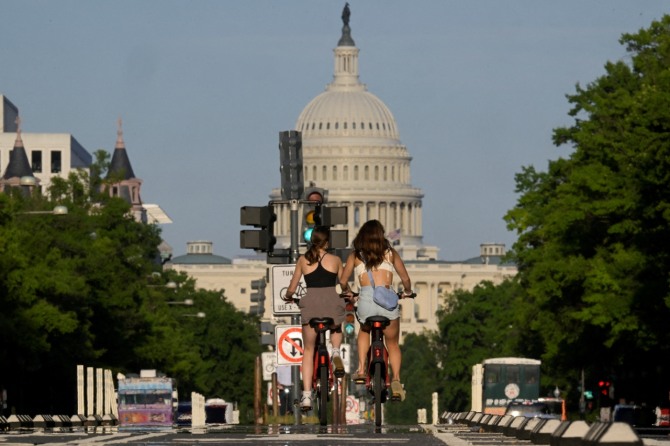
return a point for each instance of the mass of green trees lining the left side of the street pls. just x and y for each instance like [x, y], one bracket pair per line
[88, 288]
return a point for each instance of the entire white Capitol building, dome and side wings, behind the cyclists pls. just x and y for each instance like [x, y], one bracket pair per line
[352, 148]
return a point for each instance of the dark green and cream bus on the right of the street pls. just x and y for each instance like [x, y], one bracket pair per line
[498, 381]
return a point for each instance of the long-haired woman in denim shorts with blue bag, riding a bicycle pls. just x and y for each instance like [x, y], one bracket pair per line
[373, 252]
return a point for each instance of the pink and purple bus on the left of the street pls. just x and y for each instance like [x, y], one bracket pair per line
[146, 402]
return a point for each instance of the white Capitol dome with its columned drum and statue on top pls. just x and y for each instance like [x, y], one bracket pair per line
[351, 148]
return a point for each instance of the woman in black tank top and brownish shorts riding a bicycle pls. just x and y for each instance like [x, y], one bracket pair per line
[321, 271]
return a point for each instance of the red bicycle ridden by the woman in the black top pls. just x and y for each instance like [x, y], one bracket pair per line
[324, 378]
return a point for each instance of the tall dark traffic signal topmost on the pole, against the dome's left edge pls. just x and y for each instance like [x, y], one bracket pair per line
[290, 165]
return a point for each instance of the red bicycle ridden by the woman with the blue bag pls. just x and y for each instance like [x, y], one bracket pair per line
[378, 380]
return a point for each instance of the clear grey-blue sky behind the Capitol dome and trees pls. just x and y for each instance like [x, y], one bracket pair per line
[204, 88]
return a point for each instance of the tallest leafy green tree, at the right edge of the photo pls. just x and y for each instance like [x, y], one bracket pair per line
[594, 229]
